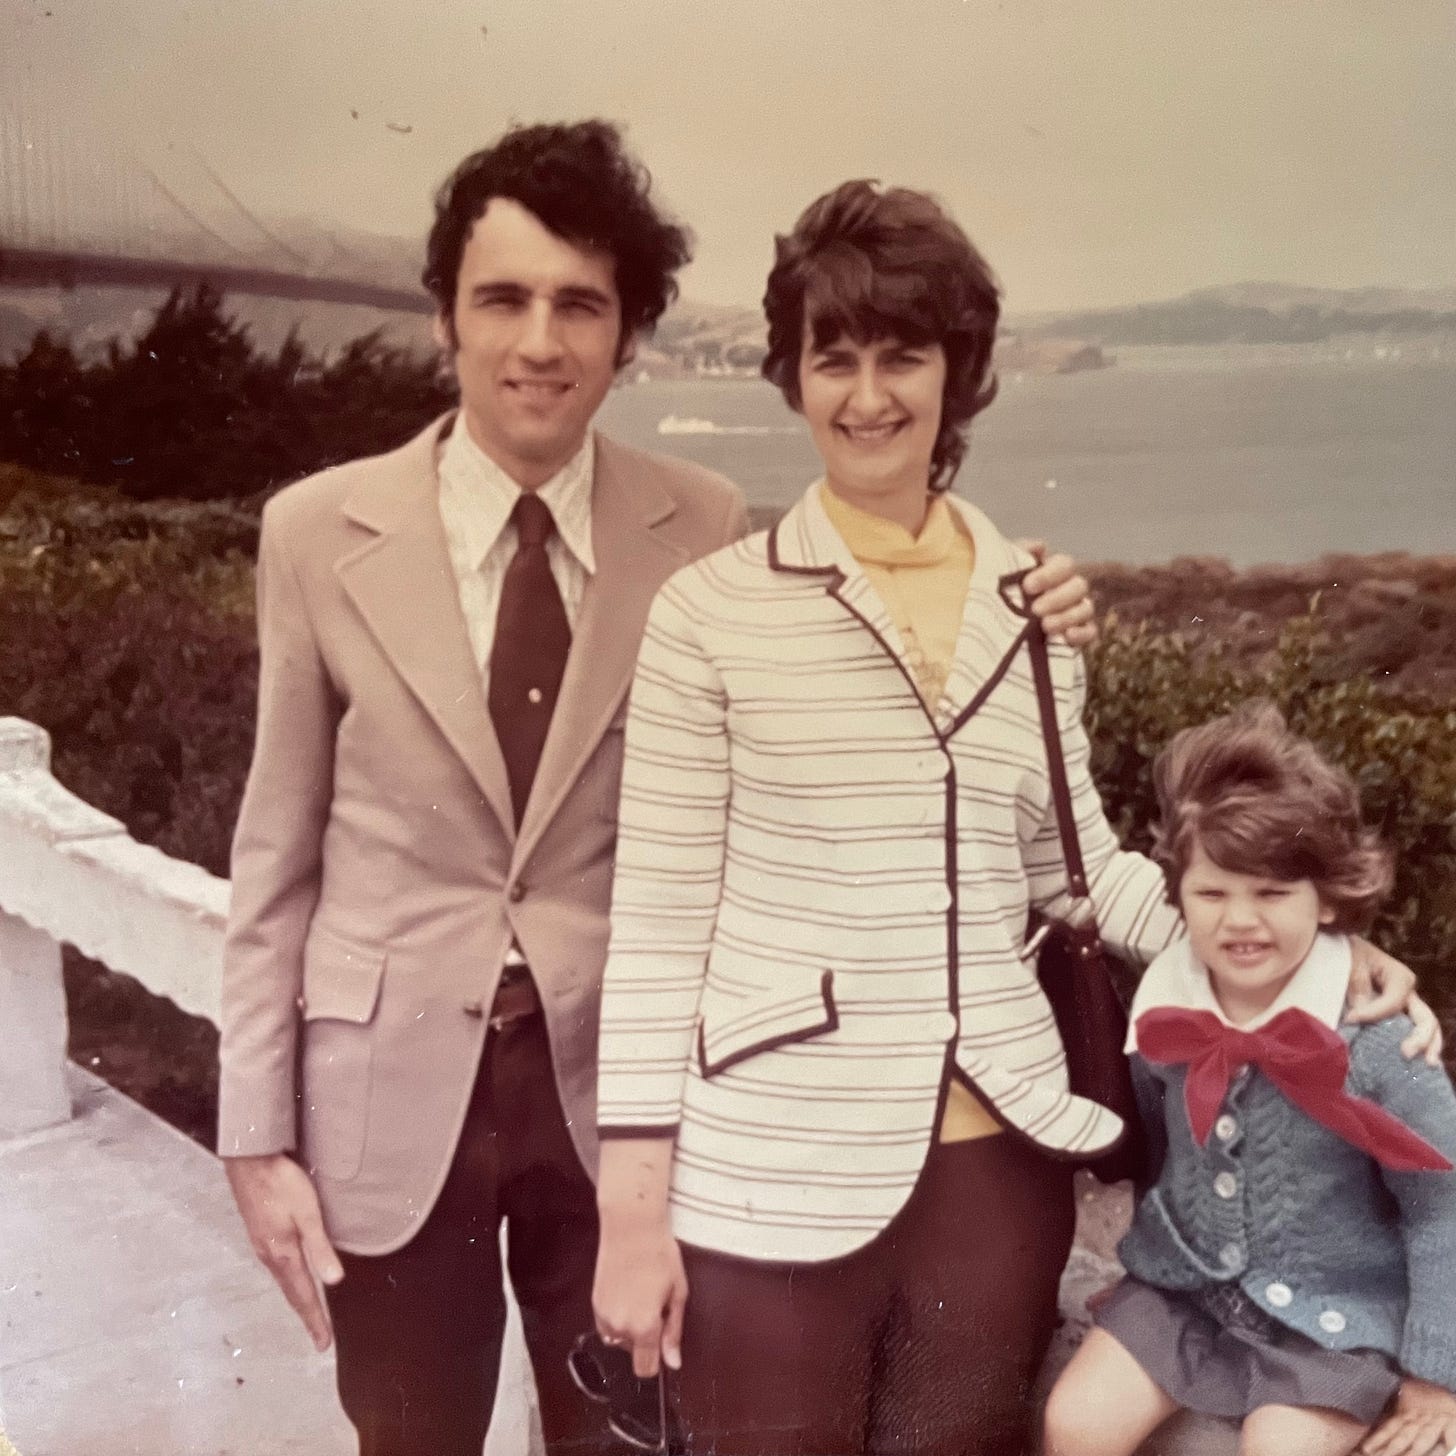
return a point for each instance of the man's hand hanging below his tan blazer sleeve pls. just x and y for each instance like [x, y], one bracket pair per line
[286, 1227]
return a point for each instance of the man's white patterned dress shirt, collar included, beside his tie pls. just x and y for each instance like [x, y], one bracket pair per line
[477, 499]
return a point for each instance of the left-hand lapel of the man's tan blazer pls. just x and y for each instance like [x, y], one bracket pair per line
[405, 589]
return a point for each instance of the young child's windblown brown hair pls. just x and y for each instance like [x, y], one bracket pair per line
[1262, 802]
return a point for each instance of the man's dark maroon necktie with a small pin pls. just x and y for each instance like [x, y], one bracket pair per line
[529, 653]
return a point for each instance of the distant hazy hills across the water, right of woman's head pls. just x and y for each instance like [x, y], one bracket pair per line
[1259, 314]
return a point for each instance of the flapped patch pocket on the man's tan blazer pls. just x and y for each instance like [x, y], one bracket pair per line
[341, 991]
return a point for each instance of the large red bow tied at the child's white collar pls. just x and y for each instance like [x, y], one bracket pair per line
[1305, 1059]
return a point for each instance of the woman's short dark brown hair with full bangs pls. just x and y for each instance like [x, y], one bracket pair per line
[887, 264]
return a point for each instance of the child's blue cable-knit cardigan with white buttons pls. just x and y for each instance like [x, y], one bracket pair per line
[1314, 1231]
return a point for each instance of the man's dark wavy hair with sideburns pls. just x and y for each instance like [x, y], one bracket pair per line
[583, 184]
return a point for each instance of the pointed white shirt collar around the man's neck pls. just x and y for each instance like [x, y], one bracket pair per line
[487, 496]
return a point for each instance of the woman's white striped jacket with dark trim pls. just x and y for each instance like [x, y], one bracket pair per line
[822, 893]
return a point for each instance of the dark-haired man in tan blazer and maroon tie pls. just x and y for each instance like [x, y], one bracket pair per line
[423, 864]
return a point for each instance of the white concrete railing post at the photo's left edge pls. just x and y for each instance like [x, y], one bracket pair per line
[33, 1000]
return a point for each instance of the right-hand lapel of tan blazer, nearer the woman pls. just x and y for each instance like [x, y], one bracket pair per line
[633, 560]
